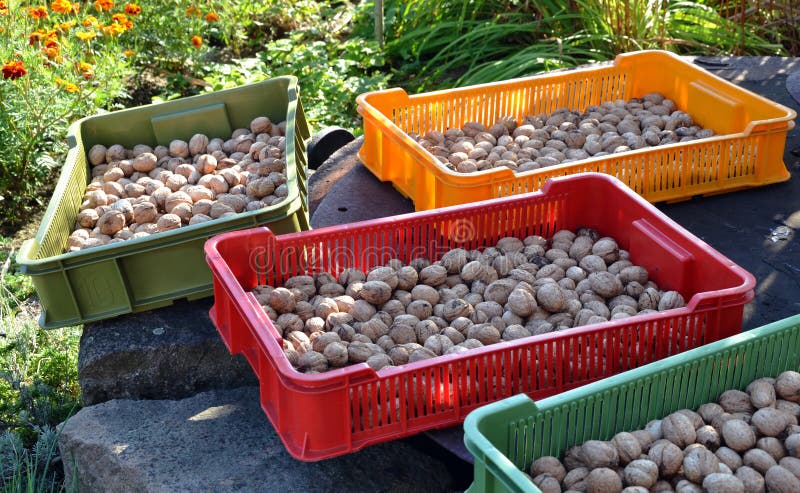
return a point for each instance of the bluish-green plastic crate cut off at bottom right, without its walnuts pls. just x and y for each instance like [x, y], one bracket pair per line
[506, 436]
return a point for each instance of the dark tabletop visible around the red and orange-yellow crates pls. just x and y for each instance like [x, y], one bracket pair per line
[756, 228]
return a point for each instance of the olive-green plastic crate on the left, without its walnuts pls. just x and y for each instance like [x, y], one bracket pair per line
[147, 273]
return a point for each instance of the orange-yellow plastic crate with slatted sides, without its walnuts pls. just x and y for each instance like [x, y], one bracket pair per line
[747, 151]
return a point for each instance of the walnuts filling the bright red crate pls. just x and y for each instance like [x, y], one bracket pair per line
[395, 314]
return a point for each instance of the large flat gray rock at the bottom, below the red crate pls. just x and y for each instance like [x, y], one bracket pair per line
[221, 441]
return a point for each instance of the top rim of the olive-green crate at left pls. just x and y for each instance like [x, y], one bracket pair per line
[26, 255]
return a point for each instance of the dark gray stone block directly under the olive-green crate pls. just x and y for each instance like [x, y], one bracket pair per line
[173, 352]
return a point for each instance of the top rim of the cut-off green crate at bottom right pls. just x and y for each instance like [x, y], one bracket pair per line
[480, 446]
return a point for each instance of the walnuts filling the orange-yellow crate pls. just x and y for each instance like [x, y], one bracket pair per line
[563, 136]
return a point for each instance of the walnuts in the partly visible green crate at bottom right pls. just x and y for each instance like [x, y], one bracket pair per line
[746, 442]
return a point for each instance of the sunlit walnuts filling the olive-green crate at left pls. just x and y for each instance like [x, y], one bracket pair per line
[142, 191]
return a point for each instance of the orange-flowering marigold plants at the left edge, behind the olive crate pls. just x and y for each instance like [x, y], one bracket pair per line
[60, 78]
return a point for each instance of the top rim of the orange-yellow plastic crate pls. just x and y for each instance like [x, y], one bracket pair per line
[462, 180]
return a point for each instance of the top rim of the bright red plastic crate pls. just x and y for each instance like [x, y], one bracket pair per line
[265, 333]
